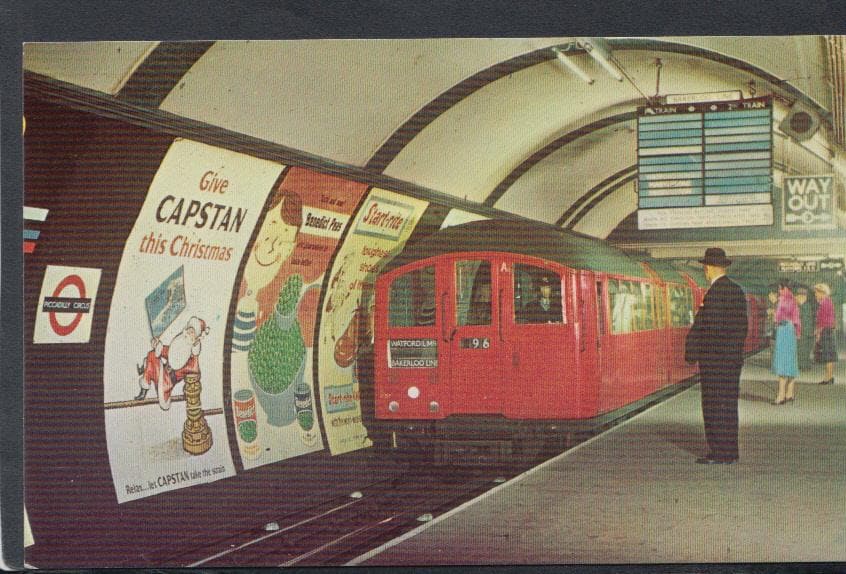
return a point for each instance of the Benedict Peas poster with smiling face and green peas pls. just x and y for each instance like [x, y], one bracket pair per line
[272, 341]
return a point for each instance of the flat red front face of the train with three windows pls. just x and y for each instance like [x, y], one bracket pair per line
[472, 334]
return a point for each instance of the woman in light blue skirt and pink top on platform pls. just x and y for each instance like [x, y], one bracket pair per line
[788, 325]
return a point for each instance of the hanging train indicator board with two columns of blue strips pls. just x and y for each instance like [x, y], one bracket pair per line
[706, 164]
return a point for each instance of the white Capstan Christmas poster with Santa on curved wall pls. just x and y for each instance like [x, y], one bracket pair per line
[163, 364]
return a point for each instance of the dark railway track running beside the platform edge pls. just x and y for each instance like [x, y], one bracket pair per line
[342, 528]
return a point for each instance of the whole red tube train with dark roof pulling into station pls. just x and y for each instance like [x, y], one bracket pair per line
[513, 321]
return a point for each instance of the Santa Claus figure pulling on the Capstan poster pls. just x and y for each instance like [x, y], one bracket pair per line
[167, 365]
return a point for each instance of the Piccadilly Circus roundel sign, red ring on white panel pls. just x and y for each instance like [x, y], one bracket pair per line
[66, 305]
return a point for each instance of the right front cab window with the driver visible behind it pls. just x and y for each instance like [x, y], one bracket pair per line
[537, 295]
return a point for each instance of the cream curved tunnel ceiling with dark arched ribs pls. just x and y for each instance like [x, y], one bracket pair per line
[433, 112]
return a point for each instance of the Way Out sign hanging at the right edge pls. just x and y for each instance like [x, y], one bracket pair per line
[808, 202]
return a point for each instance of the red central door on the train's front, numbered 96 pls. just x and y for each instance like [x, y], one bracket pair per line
[471, 327]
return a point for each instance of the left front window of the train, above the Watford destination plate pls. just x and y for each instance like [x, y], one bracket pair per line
[412, 299]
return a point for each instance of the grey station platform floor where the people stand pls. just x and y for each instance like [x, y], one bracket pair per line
[635, 495]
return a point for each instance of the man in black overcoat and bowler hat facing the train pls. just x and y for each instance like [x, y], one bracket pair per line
[715, 341]
